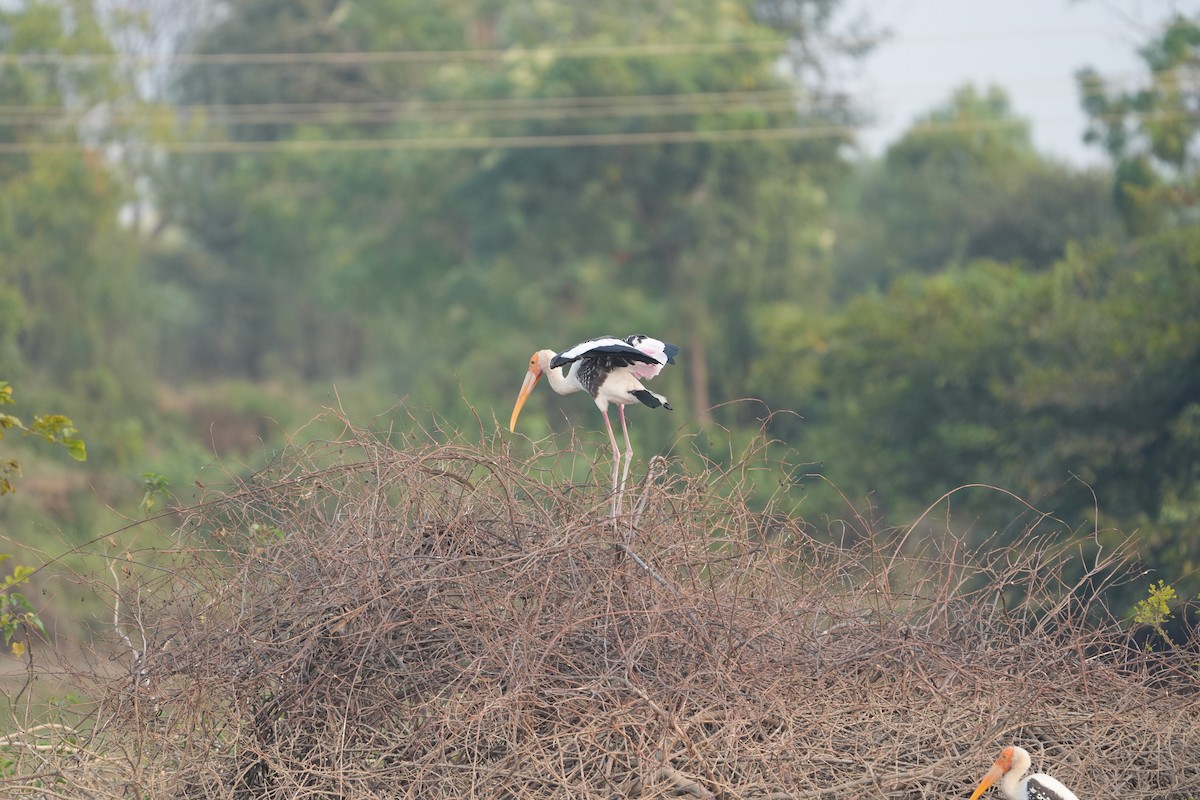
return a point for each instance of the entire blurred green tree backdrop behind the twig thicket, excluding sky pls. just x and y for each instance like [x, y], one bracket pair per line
[405, 200]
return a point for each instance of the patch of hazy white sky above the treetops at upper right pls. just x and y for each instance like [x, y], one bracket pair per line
[1031, 49]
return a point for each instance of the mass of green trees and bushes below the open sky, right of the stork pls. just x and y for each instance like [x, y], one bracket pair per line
[1054, 359]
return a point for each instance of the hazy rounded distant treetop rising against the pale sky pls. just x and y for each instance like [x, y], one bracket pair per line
[965, 183]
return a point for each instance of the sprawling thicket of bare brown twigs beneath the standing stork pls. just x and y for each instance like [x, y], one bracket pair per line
[443, 621]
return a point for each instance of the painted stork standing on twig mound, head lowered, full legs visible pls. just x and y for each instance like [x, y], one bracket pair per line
[611, 370]
